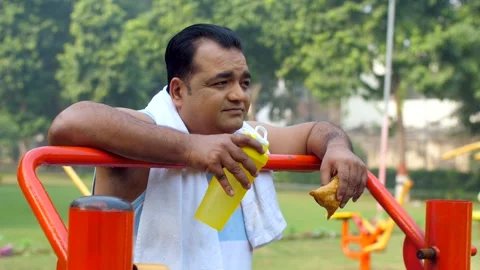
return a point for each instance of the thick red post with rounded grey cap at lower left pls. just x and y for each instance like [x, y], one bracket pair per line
[100, 234]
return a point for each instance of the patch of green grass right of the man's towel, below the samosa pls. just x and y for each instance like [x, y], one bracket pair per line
[303, 215]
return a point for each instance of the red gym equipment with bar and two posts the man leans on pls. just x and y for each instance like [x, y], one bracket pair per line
[446, 243]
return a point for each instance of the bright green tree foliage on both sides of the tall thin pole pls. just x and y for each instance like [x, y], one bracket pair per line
[334, 46]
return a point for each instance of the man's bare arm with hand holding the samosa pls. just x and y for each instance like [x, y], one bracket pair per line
[329, 143]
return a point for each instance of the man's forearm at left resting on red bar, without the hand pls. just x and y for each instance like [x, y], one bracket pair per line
[99, 126]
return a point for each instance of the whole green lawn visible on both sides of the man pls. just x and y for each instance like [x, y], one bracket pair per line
[18, 225]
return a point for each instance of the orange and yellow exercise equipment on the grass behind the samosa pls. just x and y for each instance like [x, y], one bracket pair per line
[369, 238]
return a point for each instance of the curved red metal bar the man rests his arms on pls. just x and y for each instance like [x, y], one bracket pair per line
[56, 231]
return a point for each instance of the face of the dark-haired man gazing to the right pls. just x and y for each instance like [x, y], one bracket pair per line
[215, 98]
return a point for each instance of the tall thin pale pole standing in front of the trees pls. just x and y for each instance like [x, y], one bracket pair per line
[386, 95]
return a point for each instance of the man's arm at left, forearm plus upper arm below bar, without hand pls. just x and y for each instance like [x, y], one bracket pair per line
[121, 131]
